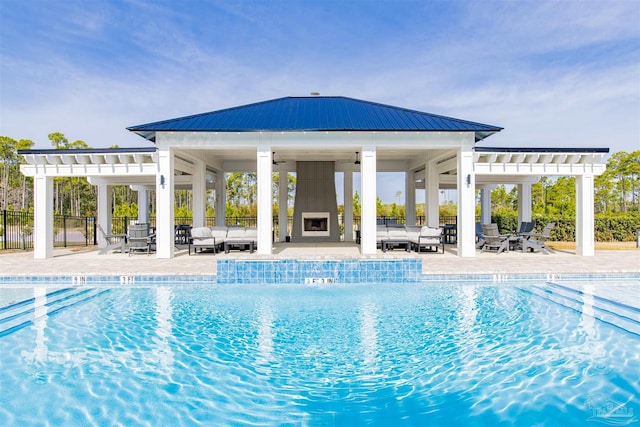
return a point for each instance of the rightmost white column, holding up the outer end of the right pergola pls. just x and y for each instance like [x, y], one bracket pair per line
[585, 239]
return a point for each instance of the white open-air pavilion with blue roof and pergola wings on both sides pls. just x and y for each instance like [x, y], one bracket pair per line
[195, 152]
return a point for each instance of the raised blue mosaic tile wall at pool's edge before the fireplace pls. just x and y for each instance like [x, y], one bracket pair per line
[320, 271]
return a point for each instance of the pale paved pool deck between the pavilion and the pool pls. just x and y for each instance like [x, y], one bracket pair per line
[86, 261]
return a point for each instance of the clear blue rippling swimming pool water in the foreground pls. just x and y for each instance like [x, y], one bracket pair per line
[420, 354]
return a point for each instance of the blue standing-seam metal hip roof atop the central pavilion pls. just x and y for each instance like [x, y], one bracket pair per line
[314, 113]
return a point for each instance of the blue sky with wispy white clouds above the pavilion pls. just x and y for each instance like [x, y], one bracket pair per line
[551, 73]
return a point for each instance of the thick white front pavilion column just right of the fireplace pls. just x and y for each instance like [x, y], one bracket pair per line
[368, 186]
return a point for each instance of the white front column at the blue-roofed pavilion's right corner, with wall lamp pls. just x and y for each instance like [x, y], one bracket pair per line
[466, 202]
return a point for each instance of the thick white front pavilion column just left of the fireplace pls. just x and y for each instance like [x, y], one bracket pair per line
[264, 199]
